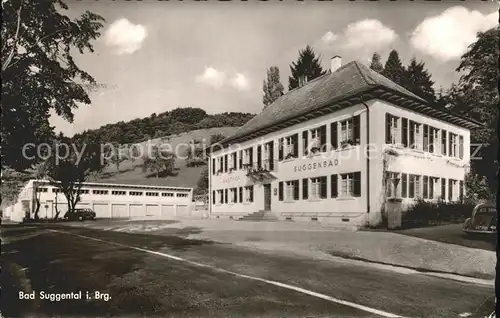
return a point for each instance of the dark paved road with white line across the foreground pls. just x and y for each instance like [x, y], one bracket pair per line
[235, 283]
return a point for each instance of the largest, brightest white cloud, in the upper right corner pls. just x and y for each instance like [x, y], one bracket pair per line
[447, 36]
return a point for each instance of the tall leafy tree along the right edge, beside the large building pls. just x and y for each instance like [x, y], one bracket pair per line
[476, 95]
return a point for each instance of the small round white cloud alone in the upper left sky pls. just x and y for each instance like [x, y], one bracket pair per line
[125, 37]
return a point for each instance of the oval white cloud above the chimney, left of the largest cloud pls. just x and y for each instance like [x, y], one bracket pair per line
[367, 35]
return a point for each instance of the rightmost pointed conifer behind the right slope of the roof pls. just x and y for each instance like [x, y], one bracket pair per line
[418, 80]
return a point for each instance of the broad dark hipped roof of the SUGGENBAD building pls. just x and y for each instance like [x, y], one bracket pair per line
[350, 84]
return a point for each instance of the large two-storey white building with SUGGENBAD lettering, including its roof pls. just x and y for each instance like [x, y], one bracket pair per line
[304, 157]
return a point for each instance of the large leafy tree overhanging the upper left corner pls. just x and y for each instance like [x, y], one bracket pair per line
[39, 73]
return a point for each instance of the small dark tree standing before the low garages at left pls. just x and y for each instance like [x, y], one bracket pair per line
[71, 163]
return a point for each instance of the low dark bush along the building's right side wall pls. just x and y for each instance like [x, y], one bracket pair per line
[436, 213]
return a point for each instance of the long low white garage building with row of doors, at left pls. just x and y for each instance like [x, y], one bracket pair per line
[106, 199]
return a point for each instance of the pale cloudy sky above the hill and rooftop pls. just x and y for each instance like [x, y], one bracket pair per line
[155, 56]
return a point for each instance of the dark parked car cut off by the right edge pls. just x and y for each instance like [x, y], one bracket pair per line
[483, 219]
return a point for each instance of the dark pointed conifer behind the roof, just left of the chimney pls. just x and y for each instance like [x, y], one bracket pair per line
[307, 65]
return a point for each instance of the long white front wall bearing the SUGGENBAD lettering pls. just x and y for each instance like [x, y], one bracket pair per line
[348, 160]
